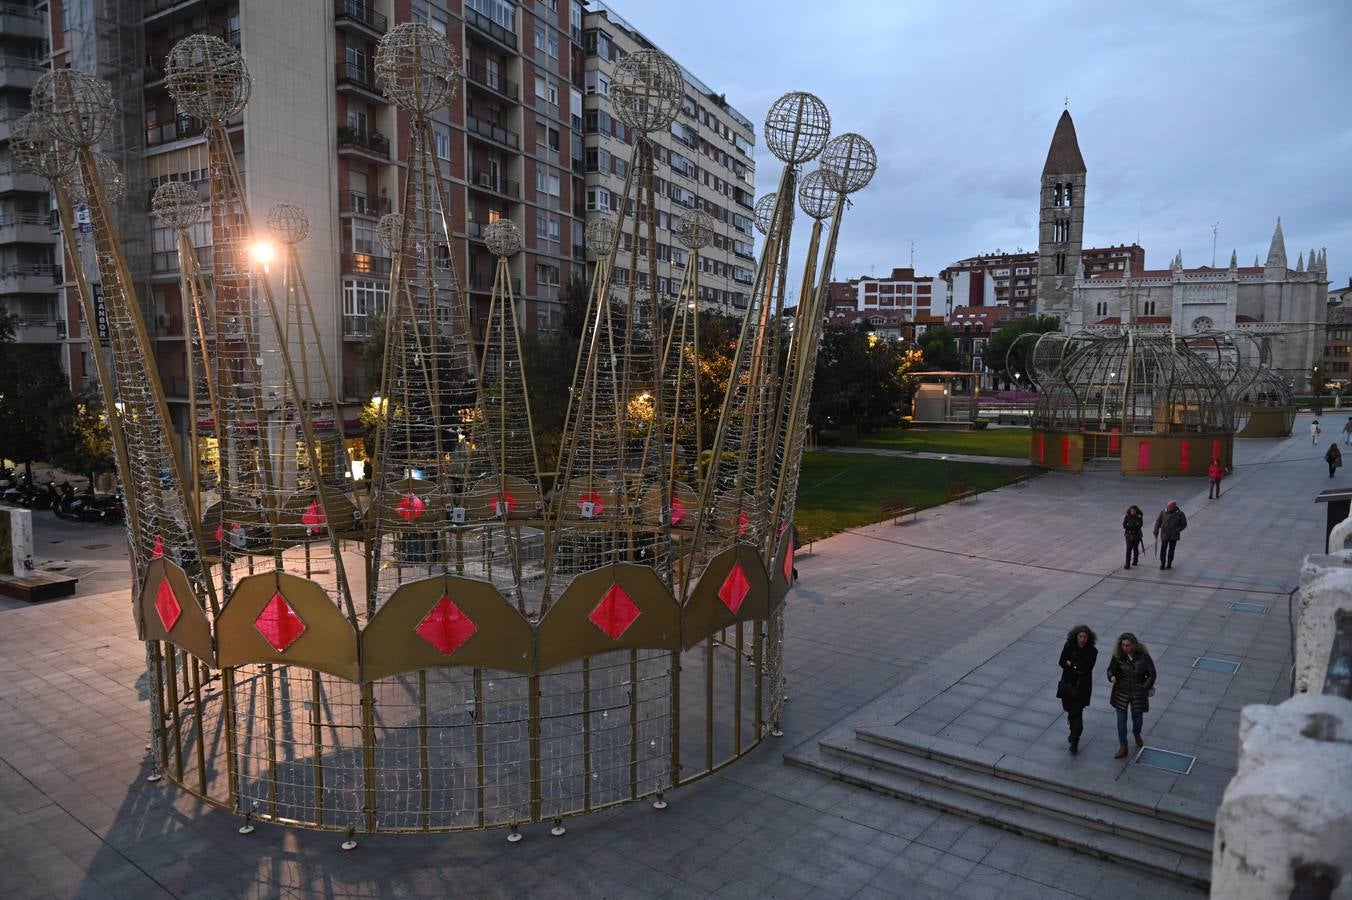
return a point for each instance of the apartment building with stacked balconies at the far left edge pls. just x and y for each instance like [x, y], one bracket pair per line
[29, 276]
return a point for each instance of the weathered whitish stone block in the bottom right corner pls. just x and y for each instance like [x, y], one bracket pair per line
[1290, 803]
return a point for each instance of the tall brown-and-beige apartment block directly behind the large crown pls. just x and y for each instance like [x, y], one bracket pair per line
[318, 133]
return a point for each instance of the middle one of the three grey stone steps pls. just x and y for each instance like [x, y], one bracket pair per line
[1113, 820]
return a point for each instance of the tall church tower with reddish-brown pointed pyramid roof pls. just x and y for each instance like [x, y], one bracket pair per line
[1061, 221]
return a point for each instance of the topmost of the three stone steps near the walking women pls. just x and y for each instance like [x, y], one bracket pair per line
[1098, 790]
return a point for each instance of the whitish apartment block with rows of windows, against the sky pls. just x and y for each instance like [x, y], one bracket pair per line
[704, 161]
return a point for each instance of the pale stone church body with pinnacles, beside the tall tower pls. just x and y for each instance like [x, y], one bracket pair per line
[1284, 307]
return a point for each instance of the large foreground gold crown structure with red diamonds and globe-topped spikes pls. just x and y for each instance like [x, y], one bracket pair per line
[471, 643]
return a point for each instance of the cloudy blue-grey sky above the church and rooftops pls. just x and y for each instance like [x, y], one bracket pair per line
[1188, 114]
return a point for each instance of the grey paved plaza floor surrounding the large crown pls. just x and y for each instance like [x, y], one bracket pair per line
[947, 626]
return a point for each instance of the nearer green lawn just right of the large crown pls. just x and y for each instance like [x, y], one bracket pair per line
[839, 491]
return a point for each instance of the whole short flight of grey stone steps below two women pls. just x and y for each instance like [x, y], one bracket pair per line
[1163, 836]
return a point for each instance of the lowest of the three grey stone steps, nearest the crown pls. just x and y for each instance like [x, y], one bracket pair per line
[1073, 836]
